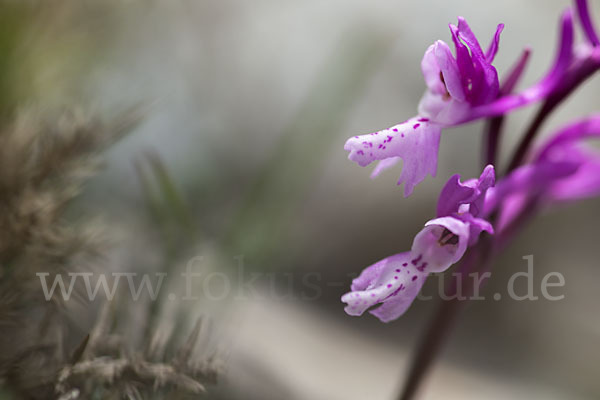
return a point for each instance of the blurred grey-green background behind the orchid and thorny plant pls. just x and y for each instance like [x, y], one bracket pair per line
[239, 153]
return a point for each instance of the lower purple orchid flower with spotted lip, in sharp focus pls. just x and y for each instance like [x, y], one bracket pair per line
[395, 281]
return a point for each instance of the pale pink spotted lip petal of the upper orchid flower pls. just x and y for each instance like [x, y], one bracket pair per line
[415, 141]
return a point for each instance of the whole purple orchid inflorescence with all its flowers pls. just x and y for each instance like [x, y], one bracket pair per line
[463, 87]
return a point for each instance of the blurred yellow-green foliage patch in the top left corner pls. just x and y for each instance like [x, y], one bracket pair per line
[49, 49]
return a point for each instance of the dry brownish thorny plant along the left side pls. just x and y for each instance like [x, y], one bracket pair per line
[44, 161]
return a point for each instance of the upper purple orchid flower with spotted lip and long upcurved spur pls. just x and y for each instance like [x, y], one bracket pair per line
[459, 89]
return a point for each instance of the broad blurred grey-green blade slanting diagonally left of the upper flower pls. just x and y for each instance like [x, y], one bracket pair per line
[261, 227]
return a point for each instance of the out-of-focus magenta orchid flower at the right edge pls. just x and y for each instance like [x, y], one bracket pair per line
[564, 169]
